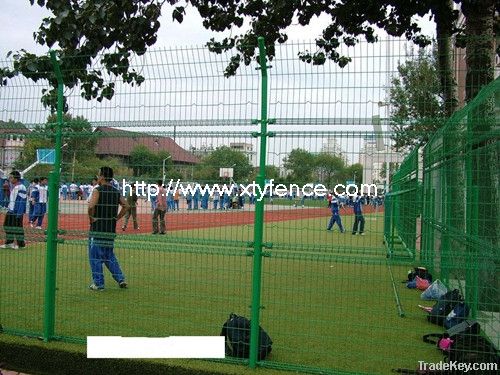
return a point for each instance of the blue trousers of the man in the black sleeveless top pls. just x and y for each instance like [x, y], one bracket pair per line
[99, 254]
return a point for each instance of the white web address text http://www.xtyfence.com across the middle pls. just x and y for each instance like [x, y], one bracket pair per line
[270, 189]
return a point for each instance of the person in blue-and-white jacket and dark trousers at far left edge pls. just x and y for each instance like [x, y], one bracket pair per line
[13, 224]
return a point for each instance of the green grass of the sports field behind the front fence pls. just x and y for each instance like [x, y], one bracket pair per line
[327, 298]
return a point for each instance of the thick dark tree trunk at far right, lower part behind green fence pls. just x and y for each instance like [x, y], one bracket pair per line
[483, 155]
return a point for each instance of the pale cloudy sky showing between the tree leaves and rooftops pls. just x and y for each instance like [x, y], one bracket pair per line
[346, 98]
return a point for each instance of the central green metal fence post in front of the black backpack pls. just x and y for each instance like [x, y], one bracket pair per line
[259, 214]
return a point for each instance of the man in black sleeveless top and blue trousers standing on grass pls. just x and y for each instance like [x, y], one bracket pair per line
[103, 209]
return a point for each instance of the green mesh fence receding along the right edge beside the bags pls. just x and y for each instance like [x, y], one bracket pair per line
[461, 205]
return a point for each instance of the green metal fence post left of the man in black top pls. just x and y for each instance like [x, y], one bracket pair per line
[54, 176]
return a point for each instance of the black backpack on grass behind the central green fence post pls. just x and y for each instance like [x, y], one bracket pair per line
[236, 330]
